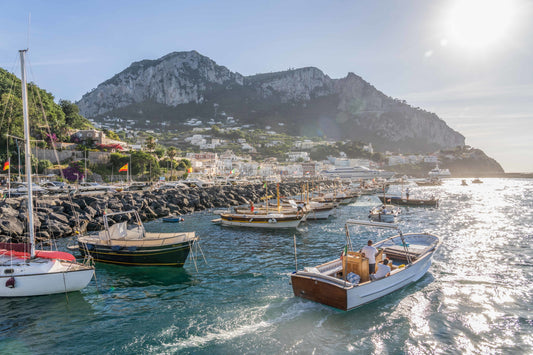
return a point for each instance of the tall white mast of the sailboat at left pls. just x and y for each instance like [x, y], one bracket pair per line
[27, 150]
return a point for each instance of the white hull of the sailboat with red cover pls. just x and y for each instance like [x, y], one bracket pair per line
[43, 277]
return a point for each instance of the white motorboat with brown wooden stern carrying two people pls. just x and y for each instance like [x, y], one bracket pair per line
[345, 283]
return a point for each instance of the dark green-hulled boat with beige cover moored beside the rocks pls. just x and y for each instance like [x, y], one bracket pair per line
[131, 245]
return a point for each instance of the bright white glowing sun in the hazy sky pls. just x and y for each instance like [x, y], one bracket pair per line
[479, 24]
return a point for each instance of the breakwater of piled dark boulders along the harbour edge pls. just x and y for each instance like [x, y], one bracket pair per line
[64, 216]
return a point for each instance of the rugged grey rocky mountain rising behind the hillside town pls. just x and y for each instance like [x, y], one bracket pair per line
[303, 101]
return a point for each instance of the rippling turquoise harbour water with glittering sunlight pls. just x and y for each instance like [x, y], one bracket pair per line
[476, 297]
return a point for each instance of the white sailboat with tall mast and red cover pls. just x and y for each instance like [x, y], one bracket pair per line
[25, 271]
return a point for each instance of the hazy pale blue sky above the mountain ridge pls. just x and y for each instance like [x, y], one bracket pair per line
[469, 61]
